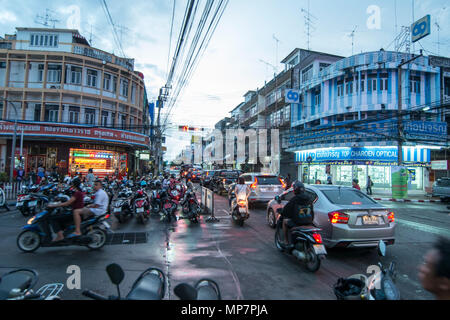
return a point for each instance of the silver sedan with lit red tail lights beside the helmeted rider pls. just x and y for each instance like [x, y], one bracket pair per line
[347, 217]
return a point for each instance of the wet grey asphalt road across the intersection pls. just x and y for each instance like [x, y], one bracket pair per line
[243, 260]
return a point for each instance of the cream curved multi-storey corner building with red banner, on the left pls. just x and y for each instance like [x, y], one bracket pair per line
[77, 107]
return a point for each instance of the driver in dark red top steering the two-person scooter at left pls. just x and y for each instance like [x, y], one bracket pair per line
[60, 220]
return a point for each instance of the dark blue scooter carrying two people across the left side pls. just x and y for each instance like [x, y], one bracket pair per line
[37, 233]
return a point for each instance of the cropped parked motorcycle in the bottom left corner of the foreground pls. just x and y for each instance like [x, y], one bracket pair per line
[18, 285]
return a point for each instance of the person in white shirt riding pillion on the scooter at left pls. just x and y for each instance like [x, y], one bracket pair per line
[99, 208]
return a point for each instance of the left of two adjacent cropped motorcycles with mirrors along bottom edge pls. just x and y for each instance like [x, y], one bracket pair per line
[150, 285]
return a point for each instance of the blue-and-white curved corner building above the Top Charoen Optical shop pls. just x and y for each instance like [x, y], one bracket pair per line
[345, 126]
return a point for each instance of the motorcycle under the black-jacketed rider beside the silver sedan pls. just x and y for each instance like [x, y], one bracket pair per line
[307, 242]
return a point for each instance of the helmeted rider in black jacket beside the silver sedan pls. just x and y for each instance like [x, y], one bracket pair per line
[293, 210]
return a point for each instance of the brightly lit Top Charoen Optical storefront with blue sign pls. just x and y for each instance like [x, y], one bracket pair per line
[345, 164]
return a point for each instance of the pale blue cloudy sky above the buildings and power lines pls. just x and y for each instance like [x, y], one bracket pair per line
[232, 63]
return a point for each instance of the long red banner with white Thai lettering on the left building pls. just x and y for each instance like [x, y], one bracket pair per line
[76, 132]
